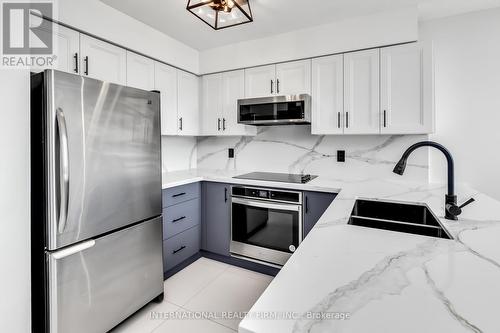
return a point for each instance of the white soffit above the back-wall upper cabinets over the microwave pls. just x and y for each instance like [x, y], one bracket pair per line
[351, 34]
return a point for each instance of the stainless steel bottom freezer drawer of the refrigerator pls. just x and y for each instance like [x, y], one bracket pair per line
[95, 285]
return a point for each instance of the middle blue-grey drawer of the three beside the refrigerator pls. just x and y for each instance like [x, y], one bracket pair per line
[178, 218]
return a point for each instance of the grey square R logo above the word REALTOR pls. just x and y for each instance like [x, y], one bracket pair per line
[24, 33]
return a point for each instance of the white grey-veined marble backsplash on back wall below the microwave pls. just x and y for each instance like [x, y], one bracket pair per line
[292, 149]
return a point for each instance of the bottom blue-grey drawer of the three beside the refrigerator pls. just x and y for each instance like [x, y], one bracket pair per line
[180, 247]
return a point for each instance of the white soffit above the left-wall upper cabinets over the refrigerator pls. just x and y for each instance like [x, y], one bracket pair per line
[106, 22]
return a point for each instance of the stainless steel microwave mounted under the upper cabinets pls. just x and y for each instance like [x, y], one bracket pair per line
[275, 110]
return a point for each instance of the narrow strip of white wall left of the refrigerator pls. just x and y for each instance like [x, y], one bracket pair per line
[14, 202]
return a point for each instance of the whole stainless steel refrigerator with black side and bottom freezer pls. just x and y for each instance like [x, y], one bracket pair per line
[96, 202]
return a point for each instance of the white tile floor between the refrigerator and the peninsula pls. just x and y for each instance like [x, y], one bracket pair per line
[206, 286]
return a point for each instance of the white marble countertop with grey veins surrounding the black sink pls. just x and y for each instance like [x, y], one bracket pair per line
[345, 278]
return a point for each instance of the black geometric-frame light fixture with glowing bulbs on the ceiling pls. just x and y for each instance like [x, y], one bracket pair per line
[220, 14]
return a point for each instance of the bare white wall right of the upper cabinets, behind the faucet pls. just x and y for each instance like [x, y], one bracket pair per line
[467, 70]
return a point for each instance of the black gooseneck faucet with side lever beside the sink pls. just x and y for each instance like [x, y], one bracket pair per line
[452, 210]
